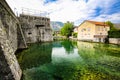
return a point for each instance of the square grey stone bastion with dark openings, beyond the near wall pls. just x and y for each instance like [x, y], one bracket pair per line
[36, 28]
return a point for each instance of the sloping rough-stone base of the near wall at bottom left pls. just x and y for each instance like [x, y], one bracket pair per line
[9, 67]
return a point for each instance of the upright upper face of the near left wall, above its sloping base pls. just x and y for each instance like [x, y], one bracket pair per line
[9, 23]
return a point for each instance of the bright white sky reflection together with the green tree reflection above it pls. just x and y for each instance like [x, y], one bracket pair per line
[67, 53]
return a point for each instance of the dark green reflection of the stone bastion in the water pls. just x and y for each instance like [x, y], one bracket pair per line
[36, 55]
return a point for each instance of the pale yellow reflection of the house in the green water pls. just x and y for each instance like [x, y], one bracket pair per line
[85, 48]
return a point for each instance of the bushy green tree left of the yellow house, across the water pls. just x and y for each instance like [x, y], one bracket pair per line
[66, 30]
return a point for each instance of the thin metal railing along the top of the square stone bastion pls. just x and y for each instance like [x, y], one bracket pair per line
[27, 11]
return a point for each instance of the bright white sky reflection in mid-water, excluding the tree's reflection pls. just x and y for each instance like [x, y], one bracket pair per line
[60, 55]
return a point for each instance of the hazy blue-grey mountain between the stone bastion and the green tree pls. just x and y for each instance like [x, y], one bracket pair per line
[56, 25]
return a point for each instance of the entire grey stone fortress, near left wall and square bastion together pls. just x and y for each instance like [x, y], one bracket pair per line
[14, 34]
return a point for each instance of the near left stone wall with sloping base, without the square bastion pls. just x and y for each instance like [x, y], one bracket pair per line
[11, 38]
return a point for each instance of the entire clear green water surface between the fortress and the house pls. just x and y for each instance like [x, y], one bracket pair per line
[70, 60]
